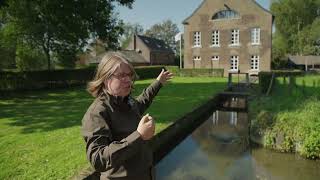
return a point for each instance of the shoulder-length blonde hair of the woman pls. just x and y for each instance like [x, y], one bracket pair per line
[108, 65]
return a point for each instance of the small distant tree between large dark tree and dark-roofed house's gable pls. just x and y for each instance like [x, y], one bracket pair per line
[129, 31]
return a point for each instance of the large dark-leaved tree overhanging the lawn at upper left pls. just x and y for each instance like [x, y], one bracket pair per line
[64, 27]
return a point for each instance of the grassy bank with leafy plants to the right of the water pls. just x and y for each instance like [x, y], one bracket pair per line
[289, 119]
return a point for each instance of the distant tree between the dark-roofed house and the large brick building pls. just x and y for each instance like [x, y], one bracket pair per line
[164, 31]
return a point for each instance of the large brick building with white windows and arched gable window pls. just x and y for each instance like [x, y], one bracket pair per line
[228, 34]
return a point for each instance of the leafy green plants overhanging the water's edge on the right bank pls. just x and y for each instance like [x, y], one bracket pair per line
[296, 131]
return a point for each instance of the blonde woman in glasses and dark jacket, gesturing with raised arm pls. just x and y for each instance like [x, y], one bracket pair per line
[114, 127]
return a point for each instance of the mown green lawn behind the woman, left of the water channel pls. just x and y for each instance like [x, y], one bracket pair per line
[40, 131]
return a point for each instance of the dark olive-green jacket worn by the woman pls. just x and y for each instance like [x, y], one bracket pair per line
[113, 145]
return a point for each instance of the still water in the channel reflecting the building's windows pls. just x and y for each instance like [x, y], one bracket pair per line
[219, 150]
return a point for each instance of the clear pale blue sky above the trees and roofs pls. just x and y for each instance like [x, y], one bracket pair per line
[150, 12]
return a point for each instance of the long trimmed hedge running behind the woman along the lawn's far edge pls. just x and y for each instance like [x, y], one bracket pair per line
[67, 77]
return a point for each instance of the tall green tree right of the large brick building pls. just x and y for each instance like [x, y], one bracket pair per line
[291, 19]
